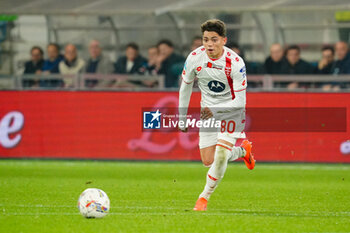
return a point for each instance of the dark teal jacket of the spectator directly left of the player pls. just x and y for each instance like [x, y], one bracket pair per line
[171, 67]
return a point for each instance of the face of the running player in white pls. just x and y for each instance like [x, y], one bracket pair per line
[214, 44]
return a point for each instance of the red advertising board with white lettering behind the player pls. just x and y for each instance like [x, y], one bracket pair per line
[108, 125]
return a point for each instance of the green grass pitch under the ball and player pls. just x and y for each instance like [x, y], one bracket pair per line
[41, 196]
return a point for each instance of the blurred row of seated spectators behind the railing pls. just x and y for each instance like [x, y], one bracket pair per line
[163, 59]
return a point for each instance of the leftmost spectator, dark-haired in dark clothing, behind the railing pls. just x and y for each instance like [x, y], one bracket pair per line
[33, 66]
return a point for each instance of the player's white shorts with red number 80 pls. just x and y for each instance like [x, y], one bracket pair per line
[231, 129]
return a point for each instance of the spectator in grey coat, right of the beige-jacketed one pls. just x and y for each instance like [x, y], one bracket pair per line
[97, 64]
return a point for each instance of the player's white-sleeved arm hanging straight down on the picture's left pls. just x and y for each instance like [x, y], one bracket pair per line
[187, 79]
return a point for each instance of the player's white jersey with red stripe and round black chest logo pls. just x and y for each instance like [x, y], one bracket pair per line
[218, 79]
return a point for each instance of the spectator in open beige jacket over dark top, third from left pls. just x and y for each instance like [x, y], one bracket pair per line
[71, 64]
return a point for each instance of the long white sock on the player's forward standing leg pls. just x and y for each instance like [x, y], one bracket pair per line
[216, 171]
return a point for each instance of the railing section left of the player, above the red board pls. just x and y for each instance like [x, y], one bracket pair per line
[81, 82]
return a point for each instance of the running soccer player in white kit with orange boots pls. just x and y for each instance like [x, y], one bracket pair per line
[222, 80]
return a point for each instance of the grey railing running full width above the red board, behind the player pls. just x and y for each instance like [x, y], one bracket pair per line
[306, 83]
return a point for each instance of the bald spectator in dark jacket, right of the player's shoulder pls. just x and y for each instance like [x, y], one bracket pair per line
[274, 62]
